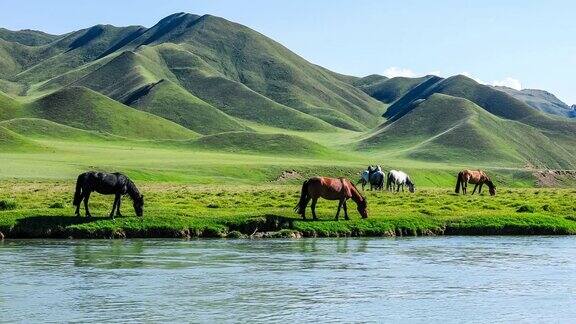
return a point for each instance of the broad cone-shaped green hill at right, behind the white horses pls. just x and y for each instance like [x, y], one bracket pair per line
[445, 128]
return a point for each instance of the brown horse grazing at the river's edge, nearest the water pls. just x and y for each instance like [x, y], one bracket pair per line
[332, 189]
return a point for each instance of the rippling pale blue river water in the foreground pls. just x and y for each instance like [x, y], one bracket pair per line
[437, 279]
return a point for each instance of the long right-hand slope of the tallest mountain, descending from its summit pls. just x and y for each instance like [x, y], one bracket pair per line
[243, 55]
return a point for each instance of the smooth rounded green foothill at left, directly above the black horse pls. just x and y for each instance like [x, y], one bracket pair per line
[88, 110]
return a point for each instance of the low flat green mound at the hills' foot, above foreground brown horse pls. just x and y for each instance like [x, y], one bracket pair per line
[257, 143]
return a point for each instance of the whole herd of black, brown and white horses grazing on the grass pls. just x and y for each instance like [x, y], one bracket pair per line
[340, 189]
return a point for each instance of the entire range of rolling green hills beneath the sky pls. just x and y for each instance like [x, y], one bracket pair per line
[211, 84]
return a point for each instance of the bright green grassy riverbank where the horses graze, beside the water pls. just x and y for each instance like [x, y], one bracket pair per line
[43, 210]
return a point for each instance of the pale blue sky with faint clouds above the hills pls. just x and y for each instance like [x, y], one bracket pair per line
[531, 44]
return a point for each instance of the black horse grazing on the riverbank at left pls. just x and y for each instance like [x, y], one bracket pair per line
[107, 184]
